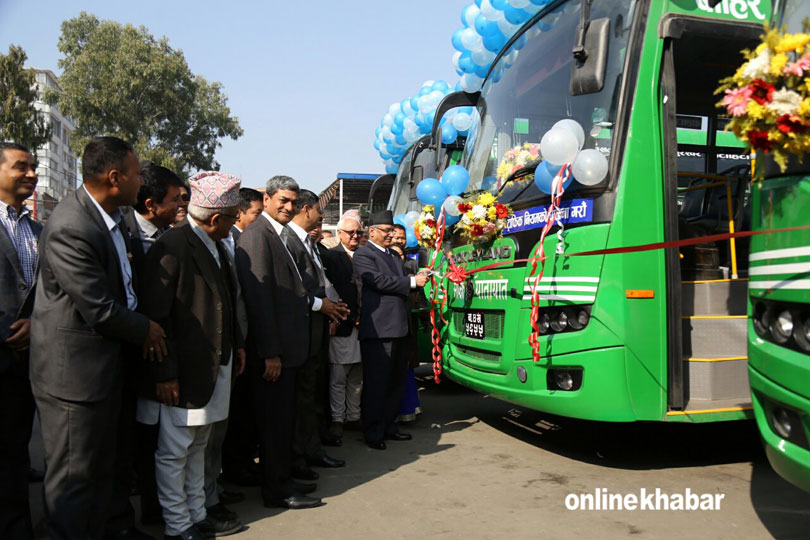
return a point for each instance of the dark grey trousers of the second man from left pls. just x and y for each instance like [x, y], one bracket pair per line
[79, 440]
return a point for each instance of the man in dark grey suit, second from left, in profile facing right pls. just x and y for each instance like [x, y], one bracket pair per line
[83, 324]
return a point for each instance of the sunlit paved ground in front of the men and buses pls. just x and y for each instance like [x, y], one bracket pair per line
[482, 468]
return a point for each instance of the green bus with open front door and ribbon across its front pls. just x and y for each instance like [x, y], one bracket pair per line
[656, 335]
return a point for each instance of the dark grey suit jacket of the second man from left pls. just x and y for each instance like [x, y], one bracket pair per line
[80, 324]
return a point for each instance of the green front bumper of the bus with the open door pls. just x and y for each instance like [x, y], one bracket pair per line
[603, 395]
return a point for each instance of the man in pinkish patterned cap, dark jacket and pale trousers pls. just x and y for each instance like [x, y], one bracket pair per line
[189, 286]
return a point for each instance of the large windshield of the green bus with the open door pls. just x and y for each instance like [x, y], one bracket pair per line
[528, 92]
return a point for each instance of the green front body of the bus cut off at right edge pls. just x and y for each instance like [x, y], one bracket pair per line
[779, 375]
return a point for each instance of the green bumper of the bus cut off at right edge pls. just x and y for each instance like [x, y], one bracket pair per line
[791, 461]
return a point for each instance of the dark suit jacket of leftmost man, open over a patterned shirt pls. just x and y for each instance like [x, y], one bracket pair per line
[16, 298]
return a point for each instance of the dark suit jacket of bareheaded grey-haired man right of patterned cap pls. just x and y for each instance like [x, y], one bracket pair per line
[275, 298]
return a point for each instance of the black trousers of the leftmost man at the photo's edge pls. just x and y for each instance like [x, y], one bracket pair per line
[16, 419]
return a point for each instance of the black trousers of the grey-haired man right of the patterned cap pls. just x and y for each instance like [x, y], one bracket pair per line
[275, 409]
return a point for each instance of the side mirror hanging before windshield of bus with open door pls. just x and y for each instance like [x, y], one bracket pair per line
[590, 57]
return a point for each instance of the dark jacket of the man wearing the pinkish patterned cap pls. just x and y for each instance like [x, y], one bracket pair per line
[195, 302]
